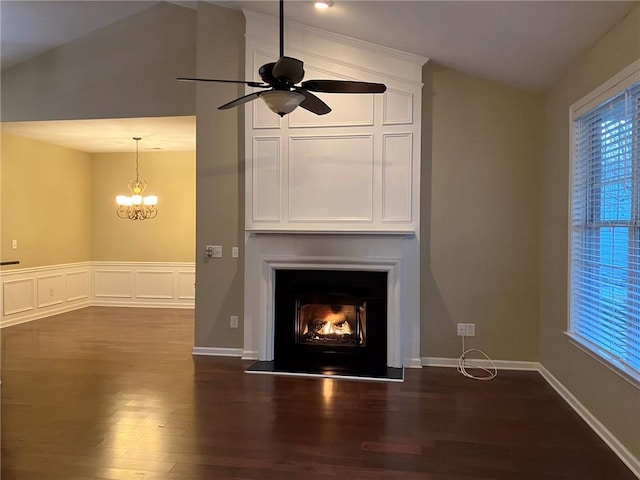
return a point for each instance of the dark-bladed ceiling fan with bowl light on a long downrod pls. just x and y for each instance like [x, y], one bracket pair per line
[280, 80]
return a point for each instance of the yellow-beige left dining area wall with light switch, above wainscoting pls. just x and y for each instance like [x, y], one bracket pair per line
[46, 203]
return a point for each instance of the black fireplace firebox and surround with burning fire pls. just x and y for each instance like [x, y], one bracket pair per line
[330, 320]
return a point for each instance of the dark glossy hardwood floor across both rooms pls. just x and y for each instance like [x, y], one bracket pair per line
[114, 393]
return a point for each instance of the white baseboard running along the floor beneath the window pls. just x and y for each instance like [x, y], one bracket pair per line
[607, 437]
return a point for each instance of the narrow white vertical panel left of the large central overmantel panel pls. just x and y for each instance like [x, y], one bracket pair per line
[266, 178]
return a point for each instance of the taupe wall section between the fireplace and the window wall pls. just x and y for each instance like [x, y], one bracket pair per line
[482, 144]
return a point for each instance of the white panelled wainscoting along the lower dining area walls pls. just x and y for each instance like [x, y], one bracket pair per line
[38, 292]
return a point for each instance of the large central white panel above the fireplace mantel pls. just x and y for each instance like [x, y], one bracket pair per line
[331, 178]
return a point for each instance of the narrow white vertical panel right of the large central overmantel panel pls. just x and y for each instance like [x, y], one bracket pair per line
[397, 177]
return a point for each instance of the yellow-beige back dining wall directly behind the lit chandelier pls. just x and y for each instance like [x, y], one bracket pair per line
[170, 237]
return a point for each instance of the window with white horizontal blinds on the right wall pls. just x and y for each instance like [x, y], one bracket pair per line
[605, 223]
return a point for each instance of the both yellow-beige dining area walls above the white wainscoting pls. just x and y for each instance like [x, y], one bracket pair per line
[59, 204]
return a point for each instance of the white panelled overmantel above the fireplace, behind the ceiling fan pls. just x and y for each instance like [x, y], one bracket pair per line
[320, 181]
